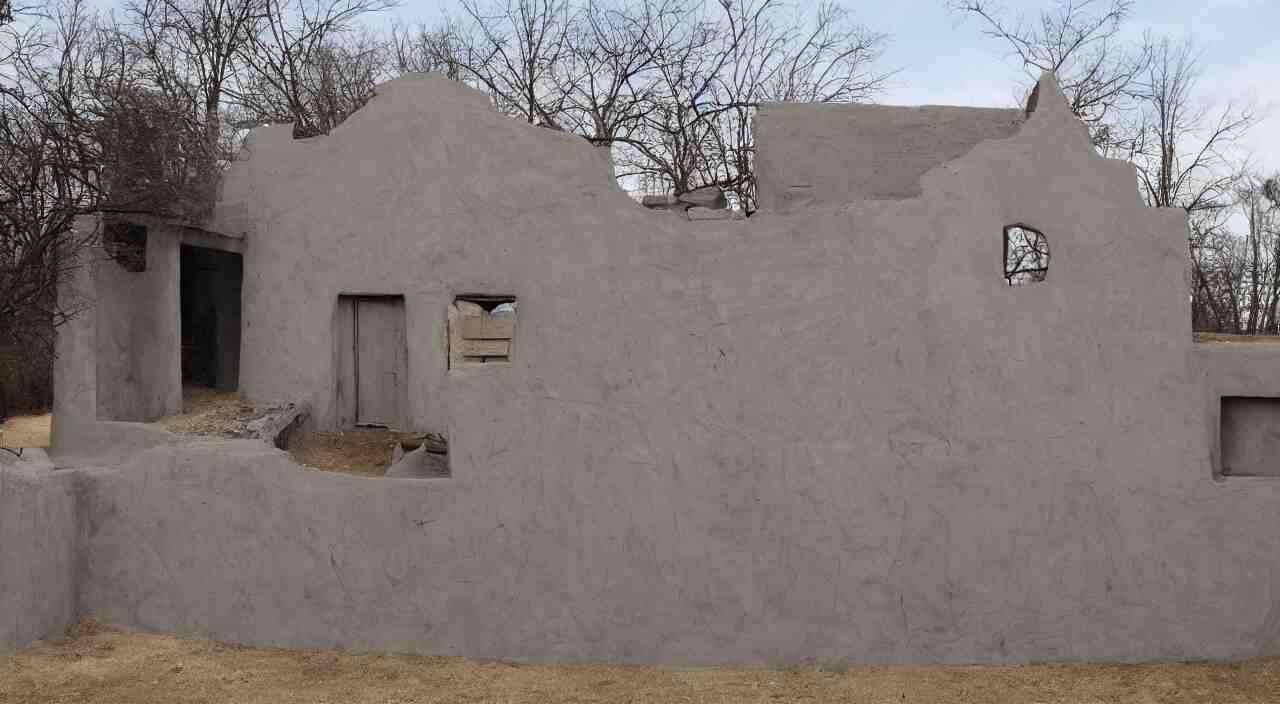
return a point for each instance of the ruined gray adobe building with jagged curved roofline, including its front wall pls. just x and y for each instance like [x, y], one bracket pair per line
[830, 433]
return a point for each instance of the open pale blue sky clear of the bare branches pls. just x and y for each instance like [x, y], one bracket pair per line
[945, 60]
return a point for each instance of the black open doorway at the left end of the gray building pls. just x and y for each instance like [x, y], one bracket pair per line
[211, 318]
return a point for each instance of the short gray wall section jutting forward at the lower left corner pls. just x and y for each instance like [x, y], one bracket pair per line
[38, 551]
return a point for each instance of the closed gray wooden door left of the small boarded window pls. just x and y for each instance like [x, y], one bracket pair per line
[380, 360]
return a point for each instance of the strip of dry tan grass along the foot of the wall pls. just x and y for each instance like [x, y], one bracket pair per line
[99, 665]
